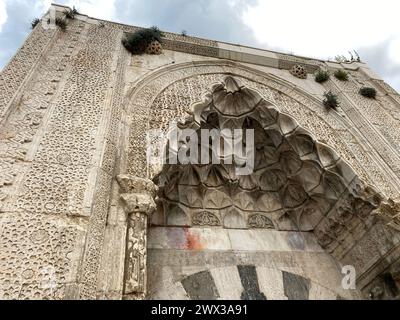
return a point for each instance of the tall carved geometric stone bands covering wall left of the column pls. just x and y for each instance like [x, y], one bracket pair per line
[67, 94]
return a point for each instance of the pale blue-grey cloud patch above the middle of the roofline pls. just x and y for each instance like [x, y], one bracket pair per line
[203, 18]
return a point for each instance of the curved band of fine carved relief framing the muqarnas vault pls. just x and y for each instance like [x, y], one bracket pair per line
[327, 127]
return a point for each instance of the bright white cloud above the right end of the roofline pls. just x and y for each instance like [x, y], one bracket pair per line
[323, 29]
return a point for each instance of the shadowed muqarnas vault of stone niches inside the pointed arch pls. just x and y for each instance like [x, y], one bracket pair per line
[298, 182]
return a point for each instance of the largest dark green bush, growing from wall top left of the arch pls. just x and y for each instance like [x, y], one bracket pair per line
[137, 42]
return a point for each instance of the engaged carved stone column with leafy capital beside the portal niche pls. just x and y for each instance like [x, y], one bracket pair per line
[138, 199]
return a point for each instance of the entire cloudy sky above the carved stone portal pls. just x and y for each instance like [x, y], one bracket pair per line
[314, 28]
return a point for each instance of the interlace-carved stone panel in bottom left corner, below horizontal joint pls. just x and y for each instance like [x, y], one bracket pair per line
[38, 257]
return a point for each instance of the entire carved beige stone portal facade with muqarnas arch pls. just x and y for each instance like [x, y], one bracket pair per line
[83, 215]
